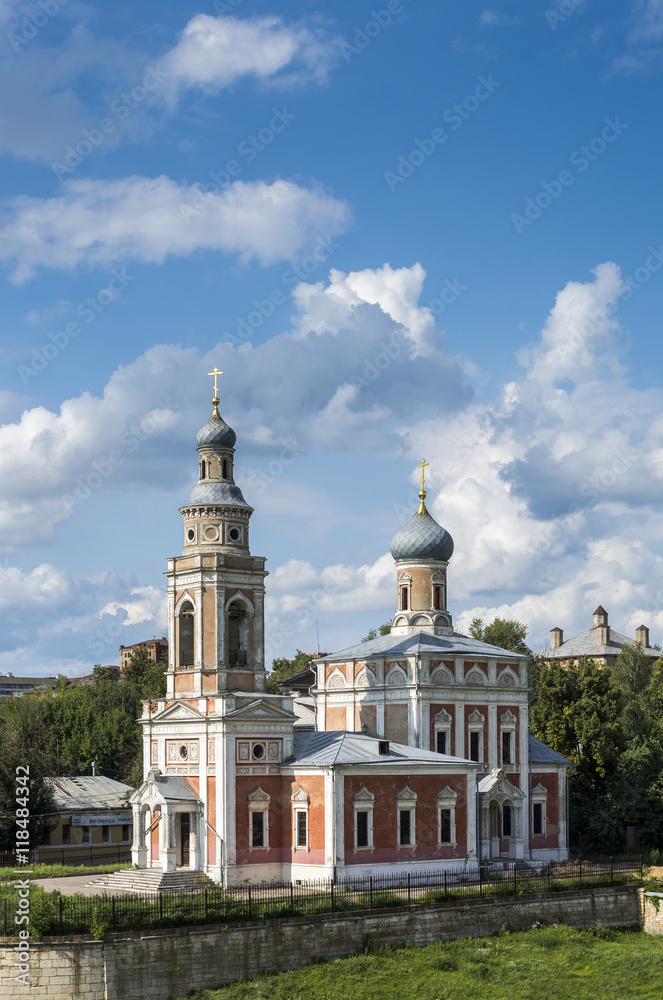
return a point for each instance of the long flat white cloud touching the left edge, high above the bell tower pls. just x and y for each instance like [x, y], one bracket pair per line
[96, 223]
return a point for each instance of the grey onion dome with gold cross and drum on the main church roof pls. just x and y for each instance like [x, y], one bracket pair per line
[422, 550]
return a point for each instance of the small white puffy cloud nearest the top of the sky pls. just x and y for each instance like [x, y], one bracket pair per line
[214, 52]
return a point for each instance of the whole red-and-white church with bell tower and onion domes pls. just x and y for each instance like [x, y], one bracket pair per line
[421, 756]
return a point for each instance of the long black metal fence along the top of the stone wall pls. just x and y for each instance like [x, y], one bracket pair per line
[54, 914]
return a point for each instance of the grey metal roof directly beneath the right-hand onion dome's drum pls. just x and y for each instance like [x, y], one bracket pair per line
[421, 642]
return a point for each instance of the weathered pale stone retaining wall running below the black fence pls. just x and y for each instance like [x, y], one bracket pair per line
[160, 964]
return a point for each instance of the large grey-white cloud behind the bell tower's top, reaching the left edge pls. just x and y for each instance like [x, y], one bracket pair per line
[347, 377]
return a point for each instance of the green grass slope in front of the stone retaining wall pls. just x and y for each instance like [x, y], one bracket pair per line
[548, 963]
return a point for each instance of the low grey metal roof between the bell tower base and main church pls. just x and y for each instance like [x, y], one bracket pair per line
[334, 748]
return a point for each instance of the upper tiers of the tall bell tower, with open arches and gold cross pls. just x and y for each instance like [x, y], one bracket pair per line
[216, 588]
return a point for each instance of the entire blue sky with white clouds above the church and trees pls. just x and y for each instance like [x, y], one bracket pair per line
[402, 229]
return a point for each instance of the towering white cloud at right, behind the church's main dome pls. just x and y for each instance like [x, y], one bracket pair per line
[551, 491]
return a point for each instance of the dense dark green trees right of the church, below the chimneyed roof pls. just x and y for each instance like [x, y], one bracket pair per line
[607, 721]
